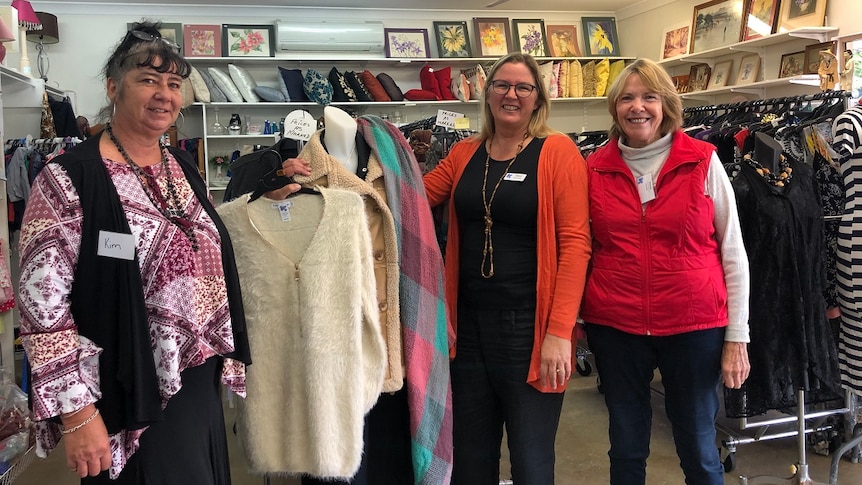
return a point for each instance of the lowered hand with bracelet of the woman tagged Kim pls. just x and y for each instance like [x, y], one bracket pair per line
[88, 451]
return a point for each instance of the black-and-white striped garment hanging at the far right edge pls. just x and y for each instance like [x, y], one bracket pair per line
[847, 143]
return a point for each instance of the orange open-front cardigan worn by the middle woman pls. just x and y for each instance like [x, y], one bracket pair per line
[563, 239]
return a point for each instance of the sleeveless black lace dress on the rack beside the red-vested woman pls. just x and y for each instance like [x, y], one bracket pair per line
[791, 344]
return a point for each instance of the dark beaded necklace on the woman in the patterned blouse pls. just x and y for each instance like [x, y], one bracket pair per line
[172, 208]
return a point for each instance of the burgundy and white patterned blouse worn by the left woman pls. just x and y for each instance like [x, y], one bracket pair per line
[184, 291]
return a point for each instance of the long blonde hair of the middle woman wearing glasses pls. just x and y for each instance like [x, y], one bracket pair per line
[538, 126]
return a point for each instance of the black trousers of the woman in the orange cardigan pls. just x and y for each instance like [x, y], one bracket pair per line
[489, 391]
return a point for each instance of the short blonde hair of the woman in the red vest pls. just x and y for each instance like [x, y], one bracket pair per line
[657, 80]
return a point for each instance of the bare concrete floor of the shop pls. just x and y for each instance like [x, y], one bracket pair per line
[581, 452]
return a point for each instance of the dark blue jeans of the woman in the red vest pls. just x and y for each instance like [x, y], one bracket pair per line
[690, 366]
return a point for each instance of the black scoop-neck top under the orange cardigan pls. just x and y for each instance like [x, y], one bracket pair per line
[514, 211]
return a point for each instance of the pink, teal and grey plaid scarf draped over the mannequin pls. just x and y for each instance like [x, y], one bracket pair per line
[423, 312]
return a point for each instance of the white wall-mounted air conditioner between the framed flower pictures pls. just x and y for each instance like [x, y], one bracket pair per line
[329, 35]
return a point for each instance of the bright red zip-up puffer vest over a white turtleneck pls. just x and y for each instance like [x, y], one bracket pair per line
[656, 272]
